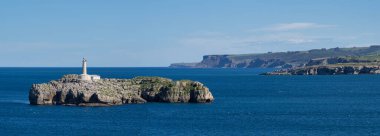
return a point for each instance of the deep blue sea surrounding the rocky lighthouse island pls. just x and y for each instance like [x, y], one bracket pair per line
[245, 104]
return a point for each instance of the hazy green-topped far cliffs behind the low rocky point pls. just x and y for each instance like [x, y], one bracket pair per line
[277, 60]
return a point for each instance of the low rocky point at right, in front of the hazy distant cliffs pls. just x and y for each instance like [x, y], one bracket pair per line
[328, 70]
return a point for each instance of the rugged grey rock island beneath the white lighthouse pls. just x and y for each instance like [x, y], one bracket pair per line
[69, 90]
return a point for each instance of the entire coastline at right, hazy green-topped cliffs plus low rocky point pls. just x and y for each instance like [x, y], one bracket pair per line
[334, 61]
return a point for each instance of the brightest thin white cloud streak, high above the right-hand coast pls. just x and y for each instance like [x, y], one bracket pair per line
[295, 26]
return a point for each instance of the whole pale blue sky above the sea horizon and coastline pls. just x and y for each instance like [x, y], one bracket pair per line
[156, 33]
